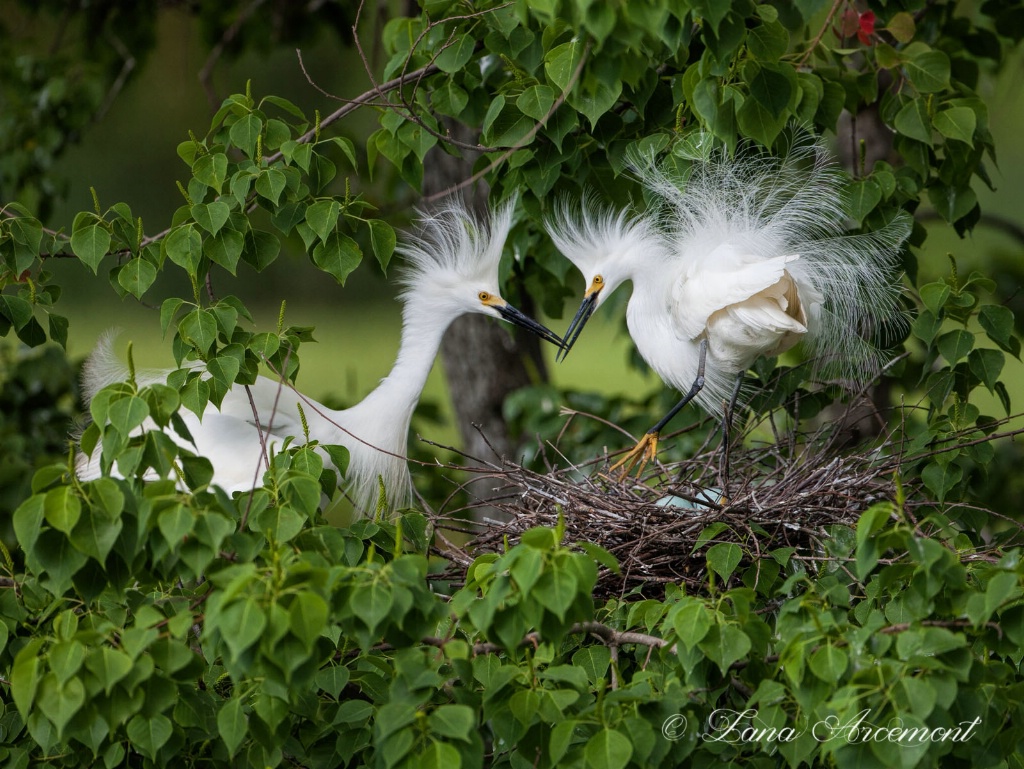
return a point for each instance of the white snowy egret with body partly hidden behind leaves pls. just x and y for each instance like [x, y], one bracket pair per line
[452, 270]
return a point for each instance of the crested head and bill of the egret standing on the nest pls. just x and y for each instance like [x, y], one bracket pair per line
[607, 246]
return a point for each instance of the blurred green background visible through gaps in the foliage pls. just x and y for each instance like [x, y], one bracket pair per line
[358, 326]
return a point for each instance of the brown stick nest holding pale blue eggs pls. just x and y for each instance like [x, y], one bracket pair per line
[788, 494]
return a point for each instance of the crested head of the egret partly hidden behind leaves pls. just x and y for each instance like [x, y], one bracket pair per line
[453, 271]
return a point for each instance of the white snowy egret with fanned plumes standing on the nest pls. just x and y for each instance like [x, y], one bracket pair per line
[741, 258]
